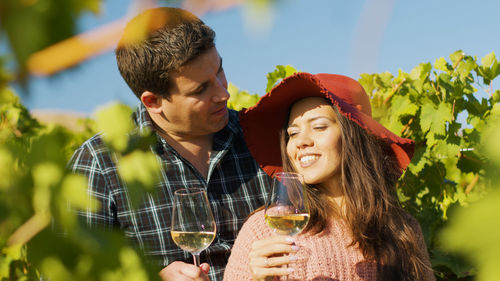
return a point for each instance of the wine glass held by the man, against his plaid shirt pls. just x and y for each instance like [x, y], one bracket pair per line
[193, 226]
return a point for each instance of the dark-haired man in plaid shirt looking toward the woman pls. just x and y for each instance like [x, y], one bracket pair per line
[176, 72]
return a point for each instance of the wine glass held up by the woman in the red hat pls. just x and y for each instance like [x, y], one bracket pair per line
[286, 212]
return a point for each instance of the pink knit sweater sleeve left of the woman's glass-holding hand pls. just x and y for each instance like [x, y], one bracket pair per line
[238, 266]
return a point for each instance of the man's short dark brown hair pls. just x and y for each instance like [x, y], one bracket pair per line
[157, 42]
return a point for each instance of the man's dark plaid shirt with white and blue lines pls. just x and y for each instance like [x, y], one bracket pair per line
[235, 186]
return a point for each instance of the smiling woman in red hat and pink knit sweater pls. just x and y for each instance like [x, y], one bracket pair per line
[350, 163]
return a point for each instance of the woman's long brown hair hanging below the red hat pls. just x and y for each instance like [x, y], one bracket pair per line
[384, 232]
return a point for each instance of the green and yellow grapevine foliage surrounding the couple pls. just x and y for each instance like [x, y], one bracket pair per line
[451, 186]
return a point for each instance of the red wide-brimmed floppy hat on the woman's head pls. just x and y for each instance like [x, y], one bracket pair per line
[263, 122]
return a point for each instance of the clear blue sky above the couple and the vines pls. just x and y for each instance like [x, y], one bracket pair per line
[335, 36]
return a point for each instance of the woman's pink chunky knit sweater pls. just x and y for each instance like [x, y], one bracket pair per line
[326, 256]
